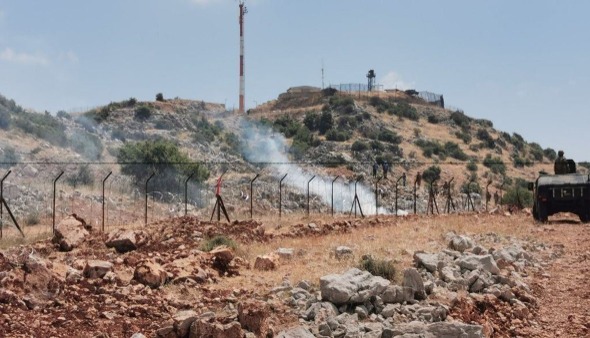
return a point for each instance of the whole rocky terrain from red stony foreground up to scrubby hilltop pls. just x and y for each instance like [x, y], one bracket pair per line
[141, 259]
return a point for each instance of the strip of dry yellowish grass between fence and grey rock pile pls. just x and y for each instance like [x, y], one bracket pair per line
[391, 238]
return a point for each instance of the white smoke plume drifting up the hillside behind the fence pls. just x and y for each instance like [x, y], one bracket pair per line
[262, 145]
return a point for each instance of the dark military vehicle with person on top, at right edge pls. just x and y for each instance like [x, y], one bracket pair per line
[561, 193]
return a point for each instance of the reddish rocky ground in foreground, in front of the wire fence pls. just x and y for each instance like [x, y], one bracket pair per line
[477, 275]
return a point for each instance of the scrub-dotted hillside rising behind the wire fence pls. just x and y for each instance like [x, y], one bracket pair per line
[305, 134]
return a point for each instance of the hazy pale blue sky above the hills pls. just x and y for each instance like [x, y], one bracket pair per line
[523, 65]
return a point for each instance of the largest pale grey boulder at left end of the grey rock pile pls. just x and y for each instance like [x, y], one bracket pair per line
[352, 287]
